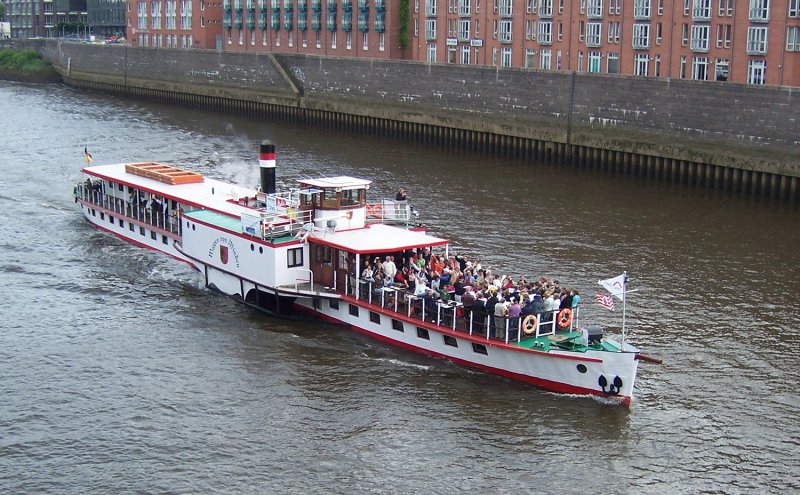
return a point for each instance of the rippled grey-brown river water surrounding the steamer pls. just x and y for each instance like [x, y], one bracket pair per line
[120, 373]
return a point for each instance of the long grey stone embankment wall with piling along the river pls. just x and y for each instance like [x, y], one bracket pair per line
[727, 136]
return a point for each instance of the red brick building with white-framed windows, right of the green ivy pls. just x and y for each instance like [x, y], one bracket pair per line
[744, 41]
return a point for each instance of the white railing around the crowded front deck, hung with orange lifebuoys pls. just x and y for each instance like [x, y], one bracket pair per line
[453, 315]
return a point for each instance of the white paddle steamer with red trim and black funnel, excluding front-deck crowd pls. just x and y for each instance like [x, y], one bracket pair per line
[290, 252]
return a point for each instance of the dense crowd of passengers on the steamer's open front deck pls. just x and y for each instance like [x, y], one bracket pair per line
[458, 279]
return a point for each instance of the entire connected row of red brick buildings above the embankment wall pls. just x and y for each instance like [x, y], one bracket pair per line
[743, 41]
